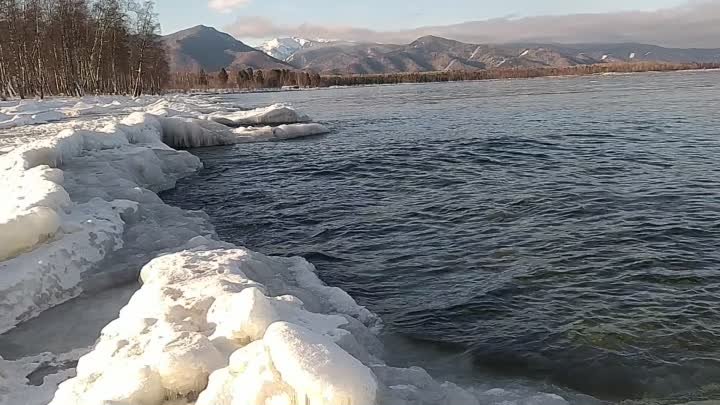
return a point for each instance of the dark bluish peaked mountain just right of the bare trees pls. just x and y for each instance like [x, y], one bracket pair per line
[206, 48]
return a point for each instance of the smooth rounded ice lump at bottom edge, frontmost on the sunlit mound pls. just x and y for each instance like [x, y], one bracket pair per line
[291, 365]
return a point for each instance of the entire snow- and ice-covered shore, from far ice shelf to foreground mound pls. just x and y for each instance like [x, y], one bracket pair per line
[212, 323]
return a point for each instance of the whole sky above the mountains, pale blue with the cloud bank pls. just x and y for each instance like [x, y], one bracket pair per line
[253, 21]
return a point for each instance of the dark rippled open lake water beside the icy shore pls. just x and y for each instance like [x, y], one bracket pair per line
[565, 230]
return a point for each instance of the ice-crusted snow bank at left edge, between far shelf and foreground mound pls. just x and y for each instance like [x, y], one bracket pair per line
[48, 240]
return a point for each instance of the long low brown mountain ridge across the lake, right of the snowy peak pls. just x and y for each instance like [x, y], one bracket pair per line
[432, 53]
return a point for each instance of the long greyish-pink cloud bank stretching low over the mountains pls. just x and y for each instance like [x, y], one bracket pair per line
[694, 24]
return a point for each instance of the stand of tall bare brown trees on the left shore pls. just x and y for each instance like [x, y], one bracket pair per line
[78, 47]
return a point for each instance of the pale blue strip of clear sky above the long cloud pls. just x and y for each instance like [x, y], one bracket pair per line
[381, 15]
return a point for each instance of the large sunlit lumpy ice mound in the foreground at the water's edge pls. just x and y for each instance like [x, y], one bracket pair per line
[216, 325]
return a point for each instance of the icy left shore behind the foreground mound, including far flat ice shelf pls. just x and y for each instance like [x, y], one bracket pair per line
[73, 199]
